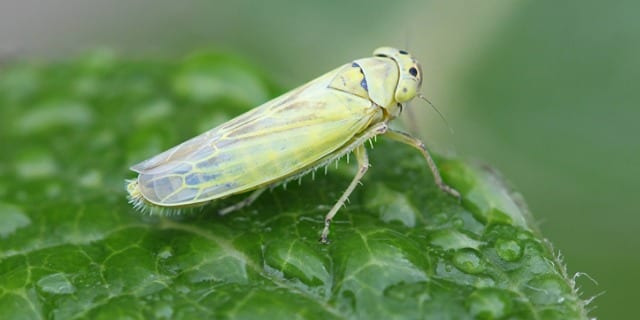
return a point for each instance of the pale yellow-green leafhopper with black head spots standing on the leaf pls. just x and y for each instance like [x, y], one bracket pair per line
[288, 137]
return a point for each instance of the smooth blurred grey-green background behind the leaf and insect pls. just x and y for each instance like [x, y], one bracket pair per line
[547, 92]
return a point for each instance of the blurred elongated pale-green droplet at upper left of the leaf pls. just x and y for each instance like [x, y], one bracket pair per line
[60, 114]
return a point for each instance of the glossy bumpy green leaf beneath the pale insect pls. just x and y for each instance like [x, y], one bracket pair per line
[72, 247]
